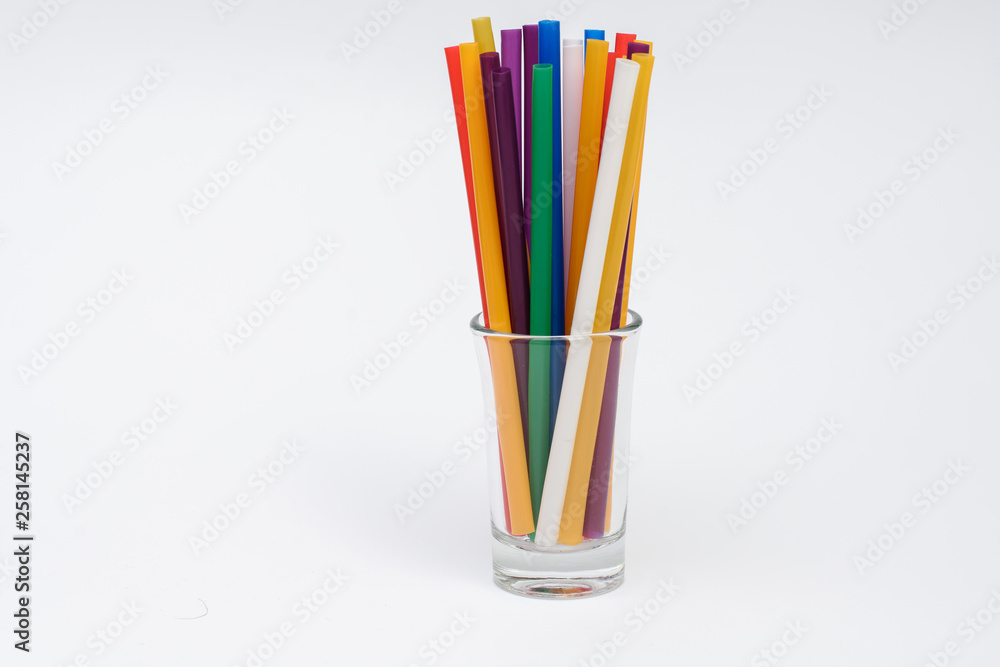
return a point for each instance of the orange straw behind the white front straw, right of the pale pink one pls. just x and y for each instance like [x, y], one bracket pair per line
[588, 155]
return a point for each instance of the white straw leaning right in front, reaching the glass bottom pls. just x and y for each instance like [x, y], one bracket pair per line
[577, 360]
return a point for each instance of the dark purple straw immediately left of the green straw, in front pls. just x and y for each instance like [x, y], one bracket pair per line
[512, 228]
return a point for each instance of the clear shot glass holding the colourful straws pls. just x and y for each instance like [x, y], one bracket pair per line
[558, 468]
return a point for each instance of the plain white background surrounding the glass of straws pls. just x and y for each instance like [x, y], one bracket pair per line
[355, 119]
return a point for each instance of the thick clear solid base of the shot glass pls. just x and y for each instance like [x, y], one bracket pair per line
[590, 568]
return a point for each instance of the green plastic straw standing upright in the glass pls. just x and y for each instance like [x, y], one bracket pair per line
[541, 289]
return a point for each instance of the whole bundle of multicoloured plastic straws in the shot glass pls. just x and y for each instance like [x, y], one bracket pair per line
[551, 143]
